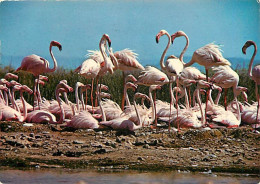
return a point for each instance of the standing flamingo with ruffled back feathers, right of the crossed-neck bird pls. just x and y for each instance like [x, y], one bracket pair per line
[127, 61]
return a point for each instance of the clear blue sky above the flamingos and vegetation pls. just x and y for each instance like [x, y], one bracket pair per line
[27, 27]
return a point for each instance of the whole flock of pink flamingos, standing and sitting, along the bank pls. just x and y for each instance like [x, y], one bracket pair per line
[105, 113]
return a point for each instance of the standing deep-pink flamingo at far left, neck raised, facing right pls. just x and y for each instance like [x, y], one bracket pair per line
[37, 65]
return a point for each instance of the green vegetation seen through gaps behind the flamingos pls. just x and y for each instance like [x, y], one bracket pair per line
[114, 82]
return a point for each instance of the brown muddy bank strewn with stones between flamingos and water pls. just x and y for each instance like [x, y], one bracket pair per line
[46, 146]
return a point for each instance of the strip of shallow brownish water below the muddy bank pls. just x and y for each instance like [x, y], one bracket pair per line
[131, 177]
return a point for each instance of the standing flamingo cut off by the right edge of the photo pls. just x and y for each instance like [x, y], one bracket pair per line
[254, 73]
